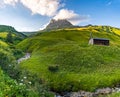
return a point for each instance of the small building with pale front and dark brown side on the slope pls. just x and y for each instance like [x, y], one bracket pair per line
[99, 41]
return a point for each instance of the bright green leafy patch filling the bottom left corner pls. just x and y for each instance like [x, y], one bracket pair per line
[9, 87]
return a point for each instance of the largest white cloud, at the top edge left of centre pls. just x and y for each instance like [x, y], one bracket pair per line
[42, 7]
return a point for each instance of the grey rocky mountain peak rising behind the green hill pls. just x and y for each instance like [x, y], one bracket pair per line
[58, 24]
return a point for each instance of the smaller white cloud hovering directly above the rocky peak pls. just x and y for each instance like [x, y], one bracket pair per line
[71, 16]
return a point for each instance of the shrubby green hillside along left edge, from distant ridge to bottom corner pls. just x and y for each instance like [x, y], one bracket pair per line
[10, 86]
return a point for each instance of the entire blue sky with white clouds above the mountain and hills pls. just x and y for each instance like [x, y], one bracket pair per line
[32, 15]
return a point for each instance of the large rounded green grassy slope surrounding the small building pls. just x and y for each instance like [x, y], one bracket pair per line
[79, 65]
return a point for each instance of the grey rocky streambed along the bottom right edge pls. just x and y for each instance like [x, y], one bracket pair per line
[104, 92]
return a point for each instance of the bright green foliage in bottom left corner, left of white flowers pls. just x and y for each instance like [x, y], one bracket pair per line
[8, 87]
